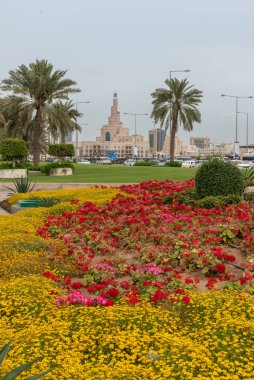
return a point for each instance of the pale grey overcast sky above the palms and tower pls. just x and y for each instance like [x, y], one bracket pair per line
[130, 47]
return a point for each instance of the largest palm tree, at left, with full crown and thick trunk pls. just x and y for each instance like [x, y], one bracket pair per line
[34, 90]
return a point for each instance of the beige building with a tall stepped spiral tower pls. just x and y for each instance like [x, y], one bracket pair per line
[114, 138]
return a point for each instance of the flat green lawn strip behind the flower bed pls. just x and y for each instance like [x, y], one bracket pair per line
[117, 174]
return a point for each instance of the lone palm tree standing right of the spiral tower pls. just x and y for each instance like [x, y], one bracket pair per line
[176, 105]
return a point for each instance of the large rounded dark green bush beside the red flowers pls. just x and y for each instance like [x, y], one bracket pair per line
[216, 177]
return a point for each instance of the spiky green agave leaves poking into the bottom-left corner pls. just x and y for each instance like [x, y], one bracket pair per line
[18, 370]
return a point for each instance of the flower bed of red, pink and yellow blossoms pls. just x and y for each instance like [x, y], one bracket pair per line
[128, 288]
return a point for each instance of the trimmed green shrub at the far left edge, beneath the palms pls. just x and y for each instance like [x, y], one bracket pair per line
[13, 150]
